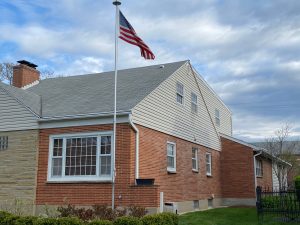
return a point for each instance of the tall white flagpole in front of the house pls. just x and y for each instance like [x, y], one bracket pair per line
[116, 3]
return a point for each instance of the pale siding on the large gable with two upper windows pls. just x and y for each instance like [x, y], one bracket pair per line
[160, 111]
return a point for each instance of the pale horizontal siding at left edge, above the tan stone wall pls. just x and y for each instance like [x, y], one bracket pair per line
[14, 116]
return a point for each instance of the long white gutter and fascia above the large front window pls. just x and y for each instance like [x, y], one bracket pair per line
[82, 116]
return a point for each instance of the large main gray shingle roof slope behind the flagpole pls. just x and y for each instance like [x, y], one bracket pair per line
[93, 93]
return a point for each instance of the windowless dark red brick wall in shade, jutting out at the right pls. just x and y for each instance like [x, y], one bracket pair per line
[237, 170]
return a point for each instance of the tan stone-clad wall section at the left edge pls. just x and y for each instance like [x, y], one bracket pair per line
[18, 171]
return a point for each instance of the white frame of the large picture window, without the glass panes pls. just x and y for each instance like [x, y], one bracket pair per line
[78, 178]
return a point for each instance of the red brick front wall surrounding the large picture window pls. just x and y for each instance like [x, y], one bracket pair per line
[95, 193]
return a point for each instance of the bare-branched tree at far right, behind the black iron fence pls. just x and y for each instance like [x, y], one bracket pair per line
[284, 150]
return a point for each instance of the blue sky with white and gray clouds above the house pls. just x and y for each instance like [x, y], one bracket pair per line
[248, 51]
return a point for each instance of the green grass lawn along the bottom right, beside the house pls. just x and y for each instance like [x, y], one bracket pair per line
[226, 216]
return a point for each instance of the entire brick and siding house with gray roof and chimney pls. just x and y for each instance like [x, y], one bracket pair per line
[56, 137]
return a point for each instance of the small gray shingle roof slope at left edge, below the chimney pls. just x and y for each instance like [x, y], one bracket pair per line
[28, 99]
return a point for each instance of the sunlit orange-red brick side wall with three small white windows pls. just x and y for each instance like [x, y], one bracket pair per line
[185, 185]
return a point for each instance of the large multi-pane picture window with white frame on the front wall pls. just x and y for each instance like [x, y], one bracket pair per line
[80, 157]
